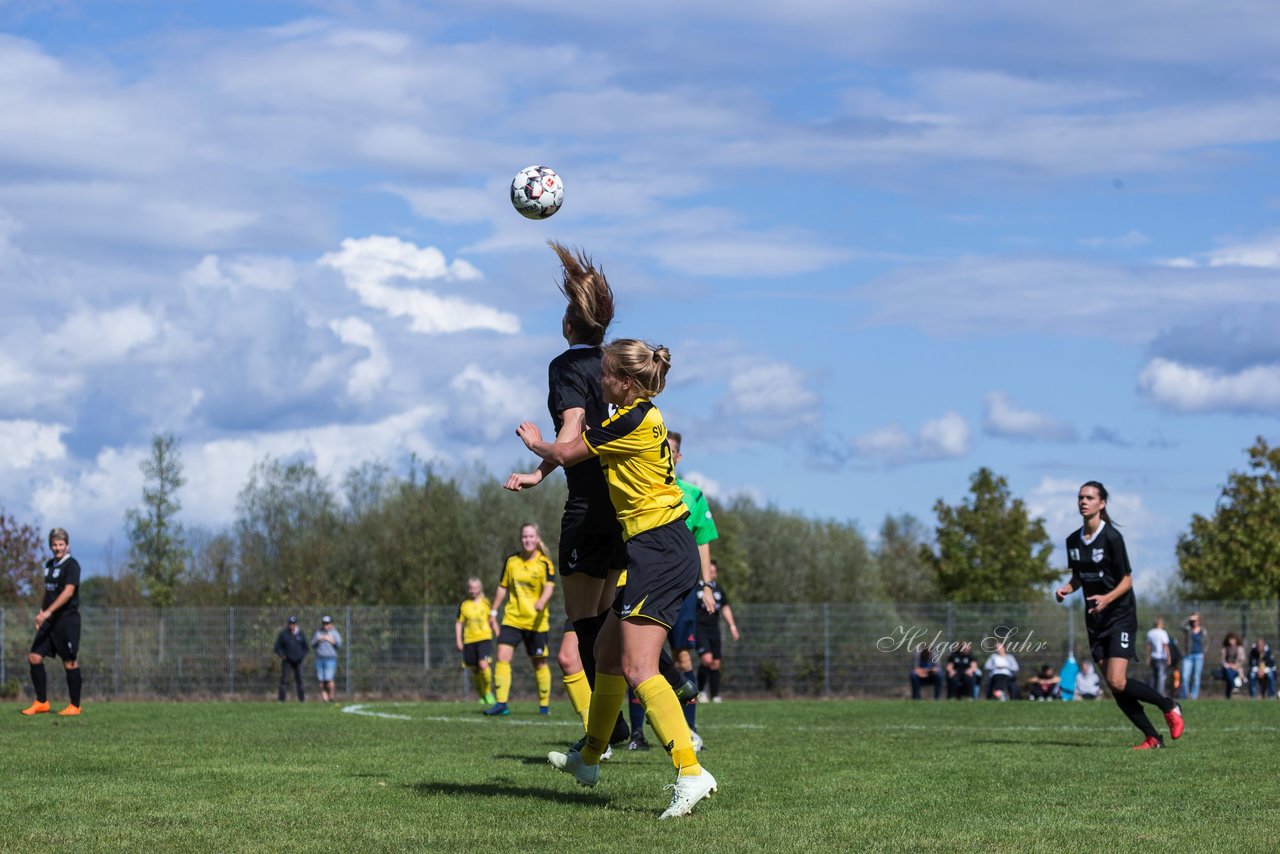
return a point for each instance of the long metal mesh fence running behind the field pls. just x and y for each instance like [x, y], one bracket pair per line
[834, 650]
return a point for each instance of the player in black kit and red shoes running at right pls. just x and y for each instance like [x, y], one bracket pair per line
[1100, 564]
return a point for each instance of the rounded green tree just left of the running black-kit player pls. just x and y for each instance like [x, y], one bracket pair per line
[990, 549]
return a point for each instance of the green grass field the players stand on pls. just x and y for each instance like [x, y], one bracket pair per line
[794, 777]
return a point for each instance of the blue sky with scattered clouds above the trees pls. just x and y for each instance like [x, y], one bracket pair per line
[888, 244]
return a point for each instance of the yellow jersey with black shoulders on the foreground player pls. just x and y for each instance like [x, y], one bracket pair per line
[633, 449]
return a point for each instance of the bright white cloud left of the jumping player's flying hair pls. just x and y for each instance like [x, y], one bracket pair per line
[371, 264]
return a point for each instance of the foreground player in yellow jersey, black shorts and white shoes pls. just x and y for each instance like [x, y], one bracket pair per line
[662, 565]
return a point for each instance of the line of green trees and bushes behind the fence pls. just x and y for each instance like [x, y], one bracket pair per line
[380, 538]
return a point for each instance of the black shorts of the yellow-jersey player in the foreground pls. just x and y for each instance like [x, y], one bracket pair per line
[662, 568]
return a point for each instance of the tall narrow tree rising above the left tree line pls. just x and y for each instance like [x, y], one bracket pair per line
[158, 549]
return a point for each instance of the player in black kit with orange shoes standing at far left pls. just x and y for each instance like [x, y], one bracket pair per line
[58, 627]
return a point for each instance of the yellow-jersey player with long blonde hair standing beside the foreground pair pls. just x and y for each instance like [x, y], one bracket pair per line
[529, 579]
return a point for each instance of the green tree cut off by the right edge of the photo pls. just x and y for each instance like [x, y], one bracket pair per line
[1236, 552]
